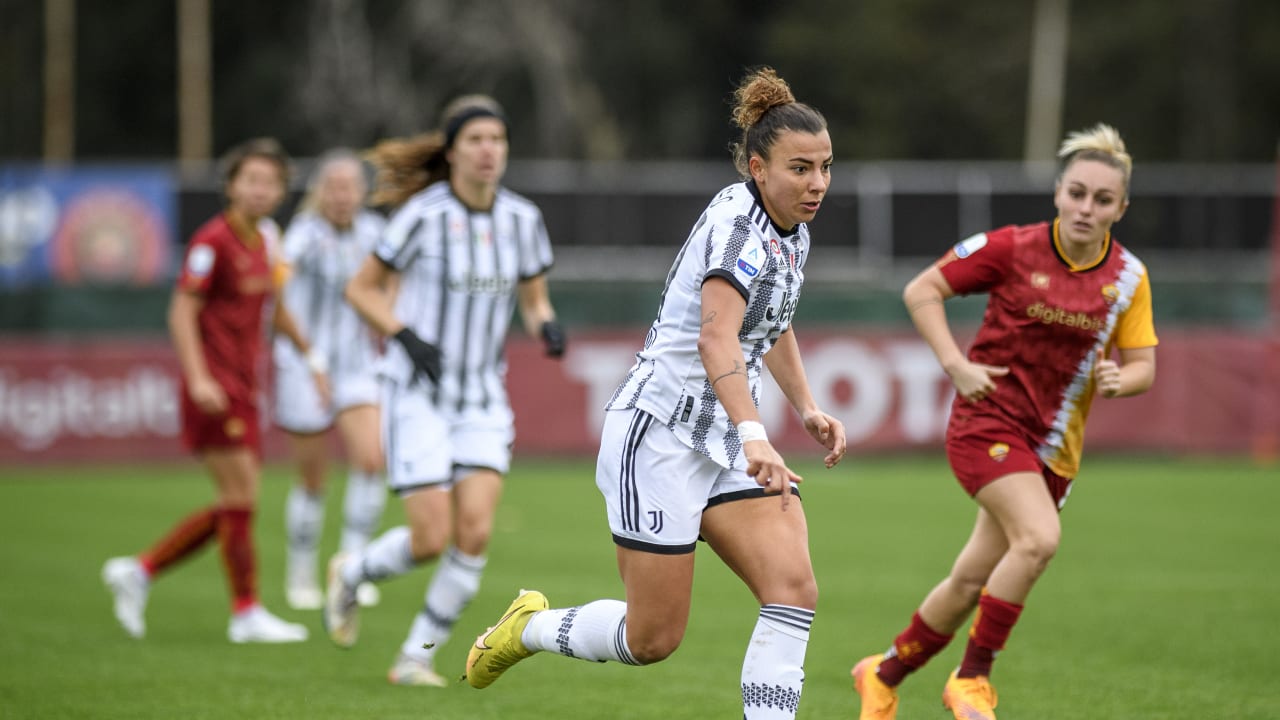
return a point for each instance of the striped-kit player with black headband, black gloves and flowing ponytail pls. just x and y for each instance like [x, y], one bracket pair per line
[465, 252]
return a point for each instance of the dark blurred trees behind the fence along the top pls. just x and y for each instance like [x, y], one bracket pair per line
[1186, 80]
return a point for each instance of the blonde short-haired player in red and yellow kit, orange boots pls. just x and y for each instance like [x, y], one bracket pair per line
[1063, 298]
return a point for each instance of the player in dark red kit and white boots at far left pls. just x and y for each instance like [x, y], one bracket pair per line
[216, 320]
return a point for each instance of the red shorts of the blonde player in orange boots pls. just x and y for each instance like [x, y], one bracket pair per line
[980, 457]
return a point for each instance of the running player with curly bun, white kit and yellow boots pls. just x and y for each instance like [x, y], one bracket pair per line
[683, 452]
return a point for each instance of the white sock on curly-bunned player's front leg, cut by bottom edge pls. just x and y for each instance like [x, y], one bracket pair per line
[774, 668]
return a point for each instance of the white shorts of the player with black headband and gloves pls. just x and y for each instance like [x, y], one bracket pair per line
[428, 446]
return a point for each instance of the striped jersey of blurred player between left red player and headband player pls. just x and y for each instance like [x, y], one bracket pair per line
[322, 259]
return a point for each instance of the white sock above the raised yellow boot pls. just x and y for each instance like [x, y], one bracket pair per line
[597, 632]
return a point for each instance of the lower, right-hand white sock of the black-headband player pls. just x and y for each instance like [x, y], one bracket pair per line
[455, 584]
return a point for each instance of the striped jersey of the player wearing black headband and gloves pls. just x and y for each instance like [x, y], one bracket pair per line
[459, 276]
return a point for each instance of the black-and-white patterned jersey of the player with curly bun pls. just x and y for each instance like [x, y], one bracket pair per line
[734, 240]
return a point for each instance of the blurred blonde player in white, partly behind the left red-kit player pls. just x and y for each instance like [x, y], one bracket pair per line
[326, 244]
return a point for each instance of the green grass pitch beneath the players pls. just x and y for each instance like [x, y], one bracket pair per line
[1163, 601]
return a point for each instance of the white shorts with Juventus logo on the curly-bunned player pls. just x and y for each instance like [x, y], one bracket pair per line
[656, 487]
